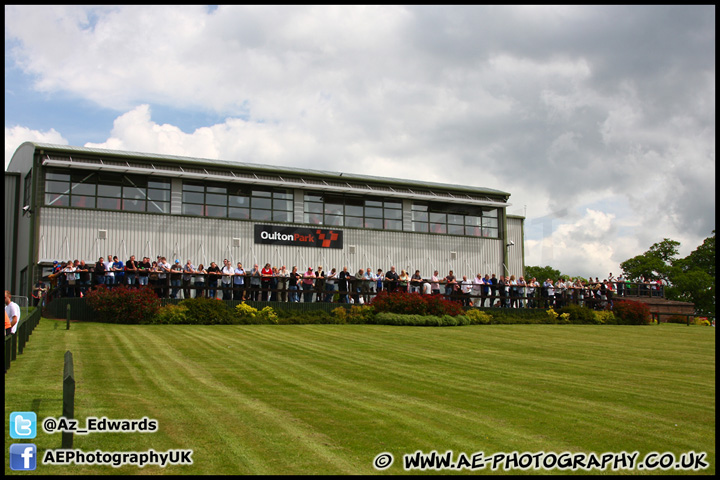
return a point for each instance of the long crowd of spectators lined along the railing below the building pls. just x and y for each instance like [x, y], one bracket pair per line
[234, 282]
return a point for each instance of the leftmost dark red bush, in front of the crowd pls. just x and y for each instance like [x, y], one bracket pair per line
[123, 305]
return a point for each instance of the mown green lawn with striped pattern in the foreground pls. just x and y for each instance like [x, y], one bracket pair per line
[326, 399]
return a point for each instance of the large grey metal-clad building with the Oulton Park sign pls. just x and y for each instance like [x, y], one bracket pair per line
[67, 203]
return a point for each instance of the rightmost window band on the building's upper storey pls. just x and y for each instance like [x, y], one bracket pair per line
[470, 220]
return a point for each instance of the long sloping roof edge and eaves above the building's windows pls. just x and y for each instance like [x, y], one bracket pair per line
[226, 170]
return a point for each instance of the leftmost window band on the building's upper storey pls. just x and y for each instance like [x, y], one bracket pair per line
[108, 191]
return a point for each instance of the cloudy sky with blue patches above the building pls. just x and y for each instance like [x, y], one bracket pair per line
[598, 120]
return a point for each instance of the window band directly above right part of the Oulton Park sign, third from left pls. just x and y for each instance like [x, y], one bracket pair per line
[352, 211]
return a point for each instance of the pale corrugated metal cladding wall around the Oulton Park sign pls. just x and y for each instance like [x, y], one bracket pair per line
[69, 234]
